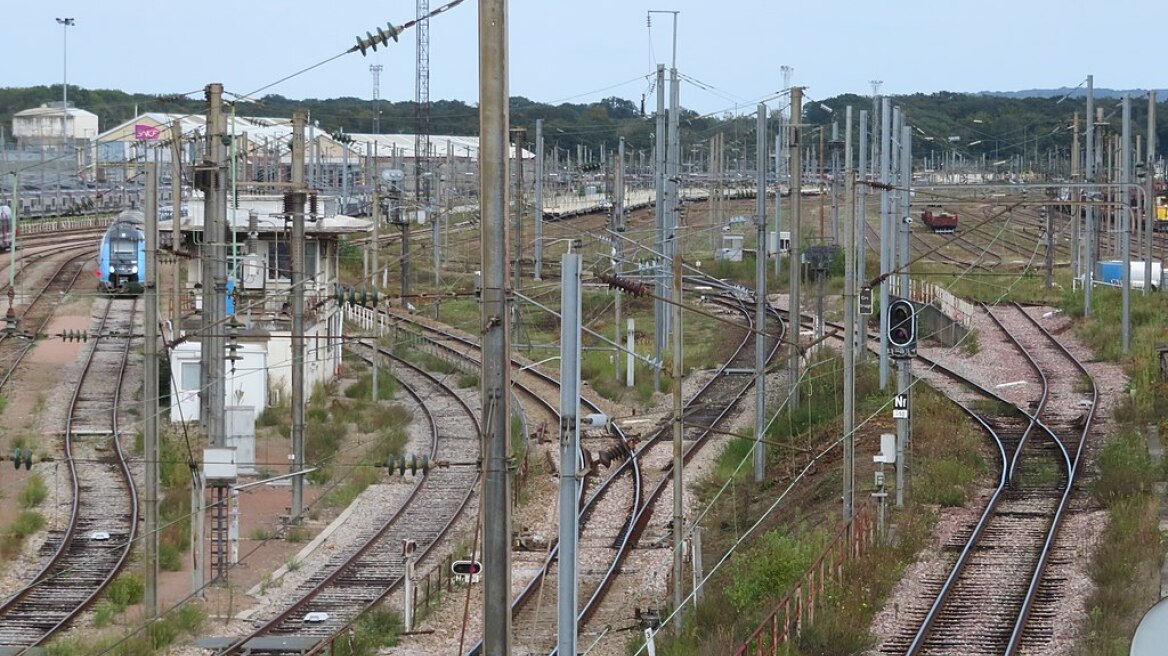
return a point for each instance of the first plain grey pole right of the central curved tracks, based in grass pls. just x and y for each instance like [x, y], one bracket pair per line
[761, 296]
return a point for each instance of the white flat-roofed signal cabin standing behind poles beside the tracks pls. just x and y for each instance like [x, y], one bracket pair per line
[261, 259]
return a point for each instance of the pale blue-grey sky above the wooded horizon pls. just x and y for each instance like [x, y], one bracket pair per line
[569, 51]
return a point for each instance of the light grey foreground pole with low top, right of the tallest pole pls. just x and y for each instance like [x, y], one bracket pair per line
[567, 583]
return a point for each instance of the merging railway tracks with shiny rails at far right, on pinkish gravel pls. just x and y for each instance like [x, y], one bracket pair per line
[991, 601]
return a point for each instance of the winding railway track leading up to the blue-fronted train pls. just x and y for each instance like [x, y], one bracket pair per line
[93, 549]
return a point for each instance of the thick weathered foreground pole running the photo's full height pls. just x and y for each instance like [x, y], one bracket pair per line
[496, 329]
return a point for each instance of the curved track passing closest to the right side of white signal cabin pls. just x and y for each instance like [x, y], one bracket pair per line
[364, 575]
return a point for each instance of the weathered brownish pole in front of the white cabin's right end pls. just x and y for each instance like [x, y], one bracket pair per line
[298, 197]
